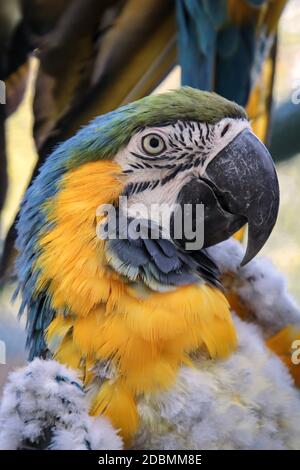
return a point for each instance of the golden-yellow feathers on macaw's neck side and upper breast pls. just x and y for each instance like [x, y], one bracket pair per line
[144, 340]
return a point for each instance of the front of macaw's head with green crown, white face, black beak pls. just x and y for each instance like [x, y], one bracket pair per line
[189, 147]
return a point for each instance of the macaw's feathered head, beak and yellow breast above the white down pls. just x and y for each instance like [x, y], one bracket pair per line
[126, 312]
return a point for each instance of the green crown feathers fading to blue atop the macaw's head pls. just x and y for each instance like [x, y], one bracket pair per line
[107, 134]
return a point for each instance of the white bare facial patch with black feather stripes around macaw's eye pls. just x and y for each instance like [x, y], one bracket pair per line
[158, 161]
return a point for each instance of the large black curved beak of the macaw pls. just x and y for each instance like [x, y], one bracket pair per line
[239, 185]
